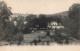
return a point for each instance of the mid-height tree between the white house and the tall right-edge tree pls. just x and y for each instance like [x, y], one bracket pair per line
[66, 22]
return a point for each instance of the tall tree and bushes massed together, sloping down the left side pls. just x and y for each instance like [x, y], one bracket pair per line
[8, 31]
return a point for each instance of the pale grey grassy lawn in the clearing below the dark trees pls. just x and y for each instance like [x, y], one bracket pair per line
[30, 37]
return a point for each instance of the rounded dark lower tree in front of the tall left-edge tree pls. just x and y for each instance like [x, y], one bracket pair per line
[10, 32]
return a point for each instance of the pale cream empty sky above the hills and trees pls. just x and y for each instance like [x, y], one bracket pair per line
[40, 6]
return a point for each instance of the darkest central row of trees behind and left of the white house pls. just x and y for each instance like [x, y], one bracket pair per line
[41, 21]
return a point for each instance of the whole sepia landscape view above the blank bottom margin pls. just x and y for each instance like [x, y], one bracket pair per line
[39, 22]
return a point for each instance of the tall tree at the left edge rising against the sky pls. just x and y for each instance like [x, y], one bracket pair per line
[4, 16]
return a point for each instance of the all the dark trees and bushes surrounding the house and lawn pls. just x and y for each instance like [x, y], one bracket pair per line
[11, 32]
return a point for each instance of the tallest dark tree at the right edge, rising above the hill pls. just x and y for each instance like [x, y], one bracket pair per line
[74, 15]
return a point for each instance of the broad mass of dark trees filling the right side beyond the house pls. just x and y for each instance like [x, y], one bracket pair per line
[72, 26]
